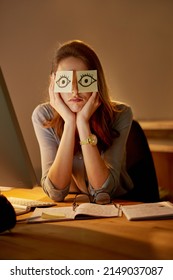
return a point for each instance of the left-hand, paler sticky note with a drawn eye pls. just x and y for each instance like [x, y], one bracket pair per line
[63, 81]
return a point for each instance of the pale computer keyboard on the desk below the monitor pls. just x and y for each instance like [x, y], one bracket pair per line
[15, 201]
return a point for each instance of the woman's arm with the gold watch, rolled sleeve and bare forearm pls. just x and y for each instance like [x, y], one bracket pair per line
[104, 171]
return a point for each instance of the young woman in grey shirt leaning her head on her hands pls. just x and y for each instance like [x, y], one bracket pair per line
[82, 136]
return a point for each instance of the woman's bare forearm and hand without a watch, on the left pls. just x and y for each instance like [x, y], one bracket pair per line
[61, 169]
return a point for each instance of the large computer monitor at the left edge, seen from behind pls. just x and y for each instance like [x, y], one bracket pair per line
[16, 169]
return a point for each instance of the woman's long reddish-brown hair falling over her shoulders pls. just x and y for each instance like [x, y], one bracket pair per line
[102, 119]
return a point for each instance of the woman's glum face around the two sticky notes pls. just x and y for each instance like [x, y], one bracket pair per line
[74, 100]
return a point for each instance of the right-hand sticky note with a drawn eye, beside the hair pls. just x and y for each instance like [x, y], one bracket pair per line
[87, 81]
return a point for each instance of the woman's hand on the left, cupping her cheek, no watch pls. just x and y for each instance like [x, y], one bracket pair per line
[58, 104]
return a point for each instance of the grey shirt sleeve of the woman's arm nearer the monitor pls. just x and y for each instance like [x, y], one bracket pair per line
[49, 144]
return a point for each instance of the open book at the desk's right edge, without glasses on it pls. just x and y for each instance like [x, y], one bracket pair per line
[148, 211]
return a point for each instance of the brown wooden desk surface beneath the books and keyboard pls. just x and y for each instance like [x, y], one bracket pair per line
[109, 238]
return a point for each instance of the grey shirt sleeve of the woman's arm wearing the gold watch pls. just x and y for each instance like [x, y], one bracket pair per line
[118, 181]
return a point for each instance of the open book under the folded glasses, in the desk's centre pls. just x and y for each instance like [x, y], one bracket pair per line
[83, 211]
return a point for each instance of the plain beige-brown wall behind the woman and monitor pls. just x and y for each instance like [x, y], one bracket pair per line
[133, 38]
